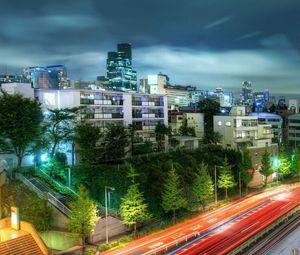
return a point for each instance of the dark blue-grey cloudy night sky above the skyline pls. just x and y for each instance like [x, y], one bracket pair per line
[207, 43]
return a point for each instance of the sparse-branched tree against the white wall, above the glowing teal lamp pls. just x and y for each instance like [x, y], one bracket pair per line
[59, 126]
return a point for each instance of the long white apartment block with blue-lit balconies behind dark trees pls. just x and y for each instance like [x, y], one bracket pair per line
[103, 107]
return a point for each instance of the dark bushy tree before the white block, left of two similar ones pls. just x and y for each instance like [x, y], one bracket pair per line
[89, 138]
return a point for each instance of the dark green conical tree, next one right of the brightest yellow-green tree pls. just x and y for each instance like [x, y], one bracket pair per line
[172, 195]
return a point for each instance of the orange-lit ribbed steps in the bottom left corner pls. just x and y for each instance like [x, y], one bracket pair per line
[24, 245]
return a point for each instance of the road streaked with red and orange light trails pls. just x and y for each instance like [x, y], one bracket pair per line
[218, 223]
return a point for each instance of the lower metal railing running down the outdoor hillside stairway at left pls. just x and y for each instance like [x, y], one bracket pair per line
[45, 195]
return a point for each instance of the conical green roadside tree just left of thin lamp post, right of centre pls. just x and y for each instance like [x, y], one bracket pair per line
[203, 187]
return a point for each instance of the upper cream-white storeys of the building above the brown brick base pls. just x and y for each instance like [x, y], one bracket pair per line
[238, 130]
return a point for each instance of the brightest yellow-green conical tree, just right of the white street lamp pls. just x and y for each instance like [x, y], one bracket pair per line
[133, 209]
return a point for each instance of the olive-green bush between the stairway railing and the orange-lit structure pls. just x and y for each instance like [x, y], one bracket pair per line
[32, 208]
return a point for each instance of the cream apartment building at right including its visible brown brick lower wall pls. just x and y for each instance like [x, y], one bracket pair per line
[240, 130]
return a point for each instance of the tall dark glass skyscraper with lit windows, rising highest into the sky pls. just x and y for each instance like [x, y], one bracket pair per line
[119, 69]
